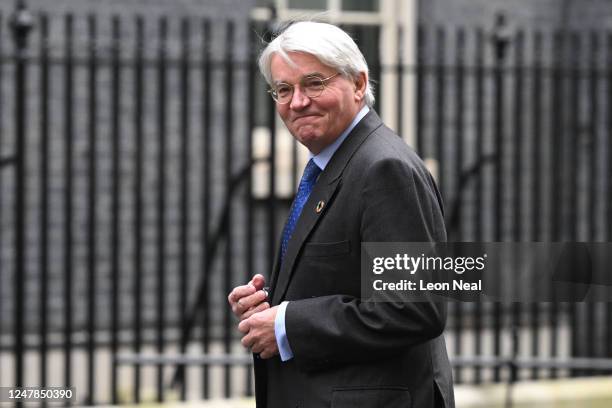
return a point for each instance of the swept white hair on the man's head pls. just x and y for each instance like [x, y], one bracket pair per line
[328, 43]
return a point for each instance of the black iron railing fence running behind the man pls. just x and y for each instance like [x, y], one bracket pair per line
[132, 178]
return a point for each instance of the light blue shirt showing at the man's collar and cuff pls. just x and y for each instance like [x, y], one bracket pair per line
[321, 160]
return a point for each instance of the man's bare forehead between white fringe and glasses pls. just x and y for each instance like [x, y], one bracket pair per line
[301, 64]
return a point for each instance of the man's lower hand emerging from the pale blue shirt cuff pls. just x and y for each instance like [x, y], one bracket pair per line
[259, 330]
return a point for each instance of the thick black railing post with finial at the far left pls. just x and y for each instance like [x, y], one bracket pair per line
[21, 24]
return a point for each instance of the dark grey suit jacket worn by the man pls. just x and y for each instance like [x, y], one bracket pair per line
[349, 353]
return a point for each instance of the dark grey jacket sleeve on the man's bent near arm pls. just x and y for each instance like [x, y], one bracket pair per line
[399, 203]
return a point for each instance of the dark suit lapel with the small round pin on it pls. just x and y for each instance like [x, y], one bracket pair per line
[323, 192]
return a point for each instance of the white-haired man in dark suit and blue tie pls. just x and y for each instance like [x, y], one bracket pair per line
[316, 343]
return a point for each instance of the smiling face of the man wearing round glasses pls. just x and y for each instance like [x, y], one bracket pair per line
[317, 122]
